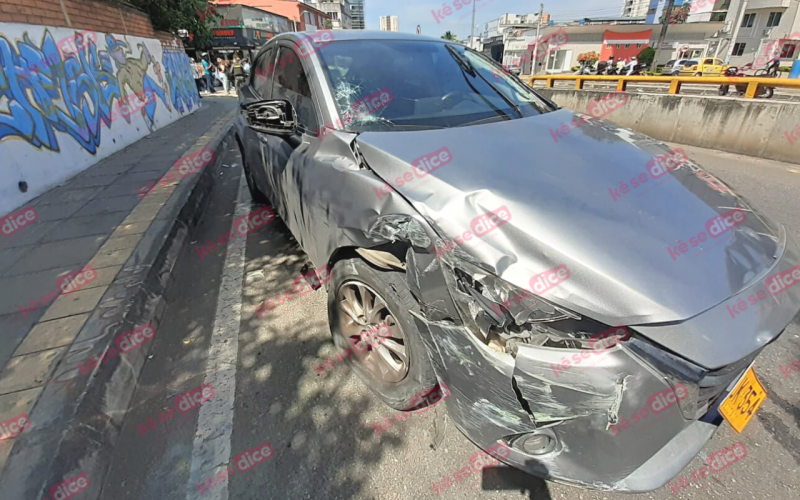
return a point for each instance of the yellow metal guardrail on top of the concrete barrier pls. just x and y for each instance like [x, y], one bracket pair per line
[675, 82]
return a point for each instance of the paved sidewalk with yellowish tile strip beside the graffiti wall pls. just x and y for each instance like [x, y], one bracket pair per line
[84, 280]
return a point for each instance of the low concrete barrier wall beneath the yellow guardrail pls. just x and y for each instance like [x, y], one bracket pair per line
[753, 127]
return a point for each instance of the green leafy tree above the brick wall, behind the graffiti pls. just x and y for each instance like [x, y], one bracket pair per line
[193, 16]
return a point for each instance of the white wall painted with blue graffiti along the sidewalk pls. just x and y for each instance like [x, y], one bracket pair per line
[71, 98]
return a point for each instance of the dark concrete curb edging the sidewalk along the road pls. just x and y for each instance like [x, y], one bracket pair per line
[77, 419]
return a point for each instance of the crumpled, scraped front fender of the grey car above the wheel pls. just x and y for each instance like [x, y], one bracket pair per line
[310, 180]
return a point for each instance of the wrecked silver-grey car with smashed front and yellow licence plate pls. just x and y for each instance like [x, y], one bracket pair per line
[583, 333]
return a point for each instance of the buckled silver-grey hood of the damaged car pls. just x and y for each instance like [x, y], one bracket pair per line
[583, 194]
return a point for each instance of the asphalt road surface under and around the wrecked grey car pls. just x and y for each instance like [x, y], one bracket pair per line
[266, 387]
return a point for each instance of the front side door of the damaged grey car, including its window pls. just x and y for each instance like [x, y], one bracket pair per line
[287, 155]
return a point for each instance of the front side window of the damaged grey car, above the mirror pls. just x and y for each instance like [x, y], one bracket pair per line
[290, 83]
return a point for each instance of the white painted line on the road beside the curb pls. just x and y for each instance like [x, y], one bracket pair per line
[212, 440]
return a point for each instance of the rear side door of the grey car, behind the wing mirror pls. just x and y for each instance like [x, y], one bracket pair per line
[259, 88]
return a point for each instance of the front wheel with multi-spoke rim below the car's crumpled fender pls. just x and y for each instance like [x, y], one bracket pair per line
[396, 389]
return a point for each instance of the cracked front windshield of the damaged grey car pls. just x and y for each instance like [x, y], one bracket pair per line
[394, 84]
